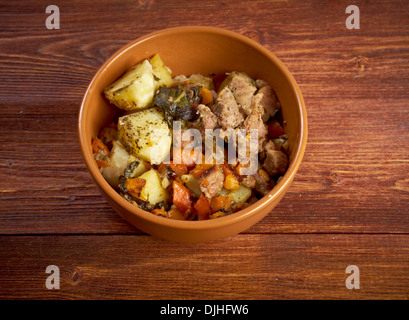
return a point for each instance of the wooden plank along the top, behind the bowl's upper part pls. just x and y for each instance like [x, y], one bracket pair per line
[310, 38]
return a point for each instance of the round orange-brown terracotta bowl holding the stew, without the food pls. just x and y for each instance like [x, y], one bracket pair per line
[188, 50]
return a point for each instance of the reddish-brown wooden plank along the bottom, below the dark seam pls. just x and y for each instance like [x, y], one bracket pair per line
[242, 267]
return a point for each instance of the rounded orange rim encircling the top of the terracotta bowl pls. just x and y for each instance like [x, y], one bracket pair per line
[236, 217]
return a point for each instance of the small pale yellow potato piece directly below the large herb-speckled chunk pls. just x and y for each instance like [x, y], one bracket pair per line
[153, 192]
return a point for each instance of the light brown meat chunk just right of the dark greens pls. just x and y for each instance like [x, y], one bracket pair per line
[227, 110]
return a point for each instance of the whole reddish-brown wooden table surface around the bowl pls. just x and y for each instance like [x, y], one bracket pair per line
[348, 205]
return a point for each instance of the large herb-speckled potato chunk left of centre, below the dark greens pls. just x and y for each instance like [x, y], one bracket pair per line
[146, 135]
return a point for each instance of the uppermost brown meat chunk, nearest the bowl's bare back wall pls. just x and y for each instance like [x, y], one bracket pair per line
[243, 89]
